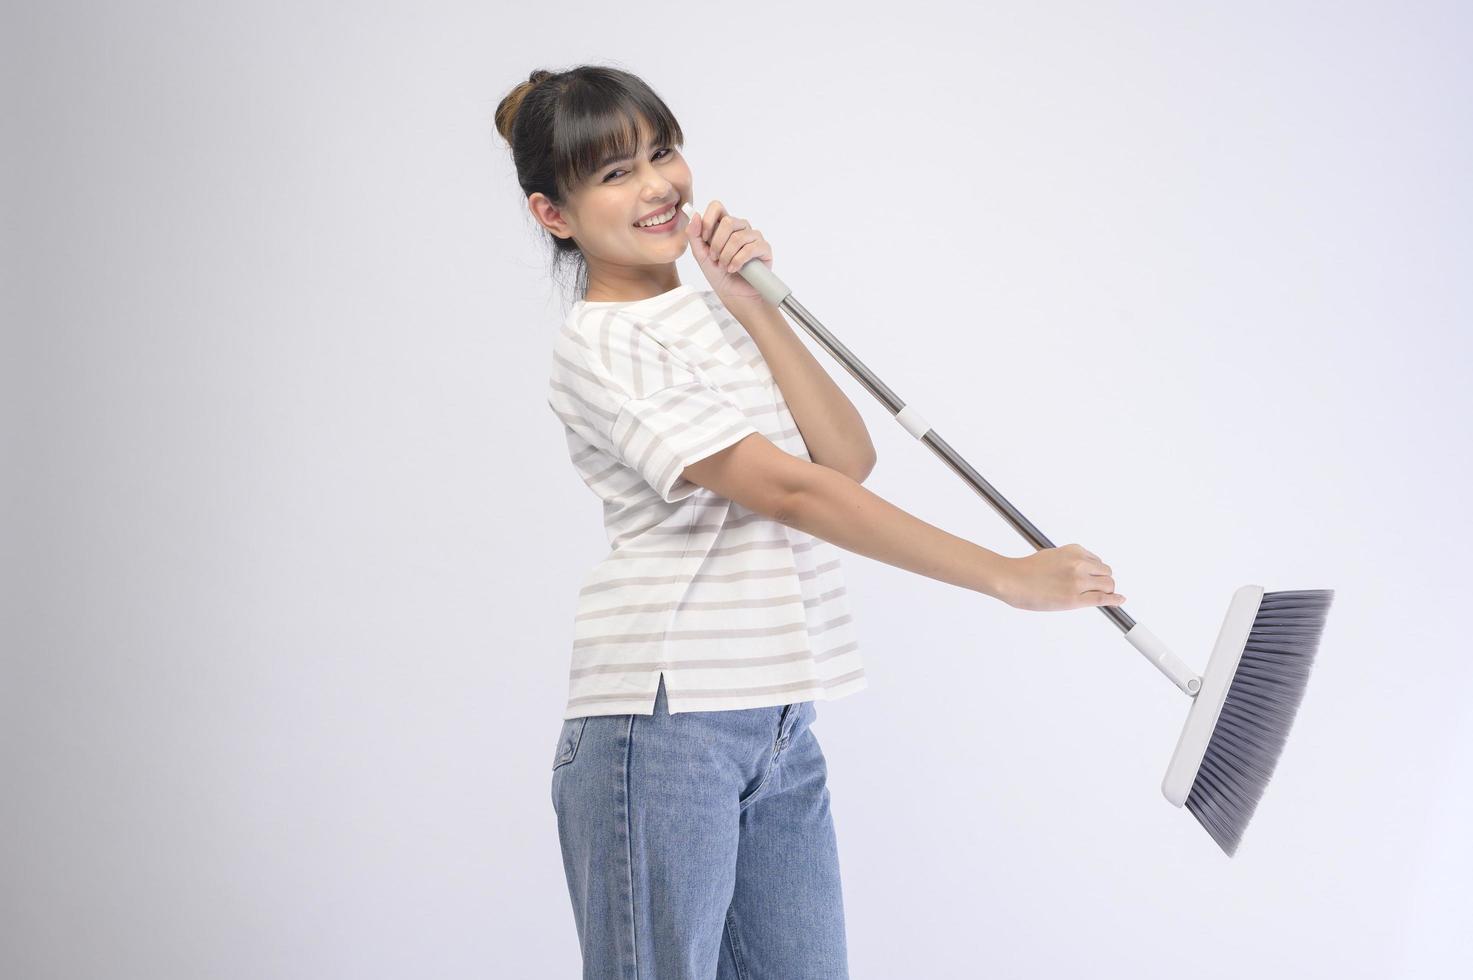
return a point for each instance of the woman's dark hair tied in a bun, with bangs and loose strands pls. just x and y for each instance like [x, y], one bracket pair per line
[563, 126]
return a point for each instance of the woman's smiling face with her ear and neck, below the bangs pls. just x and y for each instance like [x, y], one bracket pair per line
[603, 213]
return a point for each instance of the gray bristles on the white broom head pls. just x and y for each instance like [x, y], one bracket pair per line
[1259, 713]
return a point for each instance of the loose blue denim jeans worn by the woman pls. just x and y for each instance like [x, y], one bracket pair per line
[700, 845]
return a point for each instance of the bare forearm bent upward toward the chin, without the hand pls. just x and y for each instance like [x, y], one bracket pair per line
[832, 427]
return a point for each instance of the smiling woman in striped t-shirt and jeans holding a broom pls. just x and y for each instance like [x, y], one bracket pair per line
[689, 786]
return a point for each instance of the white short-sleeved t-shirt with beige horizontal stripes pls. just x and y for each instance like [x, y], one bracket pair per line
[733, 608]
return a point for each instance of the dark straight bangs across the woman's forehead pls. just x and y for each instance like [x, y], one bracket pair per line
[602, 125]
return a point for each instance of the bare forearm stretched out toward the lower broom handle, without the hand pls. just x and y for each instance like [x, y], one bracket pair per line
[836, 509]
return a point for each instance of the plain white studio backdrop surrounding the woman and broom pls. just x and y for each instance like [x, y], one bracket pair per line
[292, 545]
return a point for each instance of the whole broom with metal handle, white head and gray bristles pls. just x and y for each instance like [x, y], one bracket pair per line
[1242, 705]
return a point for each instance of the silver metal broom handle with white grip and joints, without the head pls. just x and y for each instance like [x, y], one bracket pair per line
[778, 294]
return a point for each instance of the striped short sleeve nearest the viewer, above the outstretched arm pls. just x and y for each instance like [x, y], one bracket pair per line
[643, 403]
